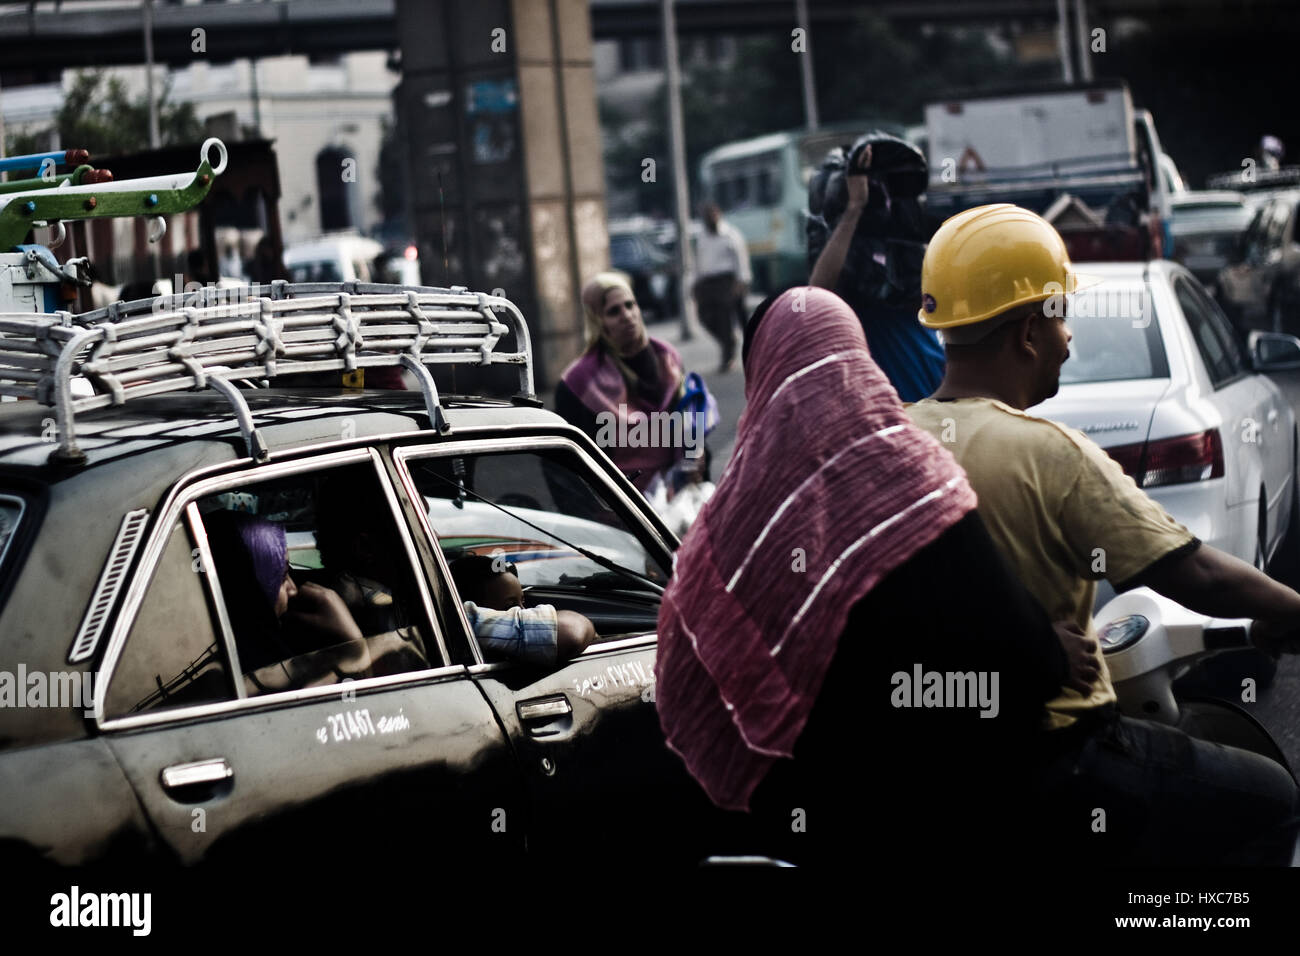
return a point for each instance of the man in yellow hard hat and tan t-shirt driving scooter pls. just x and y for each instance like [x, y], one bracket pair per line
[995, 284]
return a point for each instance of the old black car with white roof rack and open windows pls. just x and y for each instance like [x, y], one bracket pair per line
[153, 419]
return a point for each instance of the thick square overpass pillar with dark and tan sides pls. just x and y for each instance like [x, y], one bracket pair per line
[499, 105]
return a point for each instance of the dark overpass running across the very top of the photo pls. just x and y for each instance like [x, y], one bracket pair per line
[41, 37]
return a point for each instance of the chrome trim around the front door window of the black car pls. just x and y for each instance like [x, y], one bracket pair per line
[405, 453]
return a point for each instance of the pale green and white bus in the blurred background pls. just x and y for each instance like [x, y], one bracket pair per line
[762, 188]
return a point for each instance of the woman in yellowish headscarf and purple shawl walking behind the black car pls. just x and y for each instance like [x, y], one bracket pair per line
[623, 379]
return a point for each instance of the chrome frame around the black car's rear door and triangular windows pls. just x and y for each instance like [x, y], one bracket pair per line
[183, 505]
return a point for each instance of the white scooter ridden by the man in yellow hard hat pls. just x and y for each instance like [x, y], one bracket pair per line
[1150, 642]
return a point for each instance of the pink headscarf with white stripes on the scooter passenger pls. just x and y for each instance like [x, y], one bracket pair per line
[831, 488]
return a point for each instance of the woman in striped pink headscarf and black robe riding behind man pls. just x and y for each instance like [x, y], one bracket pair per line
[840, 552]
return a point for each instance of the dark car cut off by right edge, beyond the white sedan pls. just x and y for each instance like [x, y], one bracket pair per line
[1262, 289]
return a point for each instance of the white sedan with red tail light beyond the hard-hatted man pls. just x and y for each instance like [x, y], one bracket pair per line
[1159, 379]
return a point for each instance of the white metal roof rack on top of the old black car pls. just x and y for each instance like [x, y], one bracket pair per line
[216, 338]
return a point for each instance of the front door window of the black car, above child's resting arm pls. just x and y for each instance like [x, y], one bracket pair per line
[538, 511]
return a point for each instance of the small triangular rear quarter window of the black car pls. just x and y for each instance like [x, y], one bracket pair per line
[174, 655]
